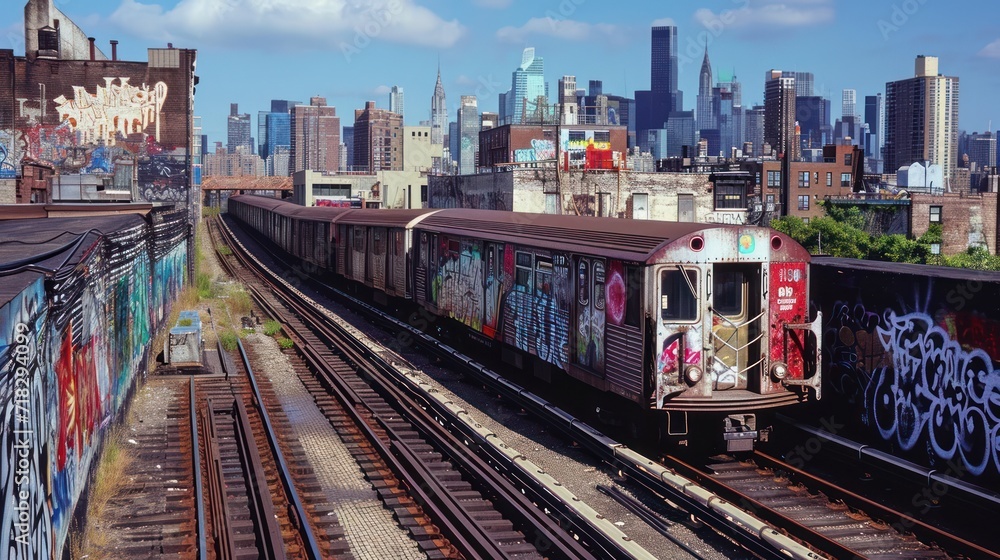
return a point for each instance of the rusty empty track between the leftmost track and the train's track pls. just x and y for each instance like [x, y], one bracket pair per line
[453, 501]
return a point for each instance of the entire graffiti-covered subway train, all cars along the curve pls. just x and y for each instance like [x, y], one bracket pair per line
[681, 326]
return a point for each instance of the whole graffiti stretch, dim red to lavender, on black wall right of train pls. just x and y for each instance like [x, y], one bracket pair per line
[919, 387]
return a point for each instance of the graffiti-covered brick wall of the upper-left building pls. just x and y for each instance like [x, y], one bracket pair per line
[129, 122]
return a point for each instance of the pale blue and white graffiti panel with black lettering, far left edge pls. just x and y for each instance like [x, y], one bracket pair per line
[26, 524]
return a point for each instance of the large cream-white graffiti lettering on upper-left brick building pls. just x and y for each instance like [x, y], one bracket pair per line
[114, 109]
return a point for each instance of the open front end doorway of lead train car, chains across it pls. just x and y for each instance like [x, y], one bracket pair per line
[736, 324]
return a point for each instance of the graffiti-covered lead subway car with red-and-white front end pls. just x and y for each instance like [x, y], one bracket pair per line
[678, 318]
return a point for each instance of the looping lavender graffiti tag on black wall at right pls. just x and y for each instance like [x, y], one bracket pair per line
[939, 390]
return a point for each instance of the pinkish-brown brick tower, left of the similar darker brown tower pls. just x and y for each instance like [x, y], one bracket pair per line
[315, 137]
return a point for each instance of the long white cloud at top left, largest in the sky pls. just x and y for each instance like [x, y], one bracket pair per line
[288, 24]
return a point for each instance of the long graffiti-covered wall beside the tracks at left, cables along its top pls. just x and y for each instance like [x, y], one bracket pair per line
[71, 351]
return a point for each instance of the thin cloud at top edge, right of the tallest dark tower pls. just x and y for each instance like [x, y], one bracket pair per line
[769, 13]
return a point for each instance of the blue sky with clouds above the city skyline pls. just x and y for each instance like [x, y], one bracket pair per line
[350, 51]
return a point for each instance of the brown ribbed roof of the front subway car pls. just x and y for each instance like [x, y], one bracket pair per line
[634, 240]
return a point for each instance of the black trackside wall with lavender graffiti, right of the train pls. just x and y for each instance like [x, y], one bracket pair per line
[911, 357]
